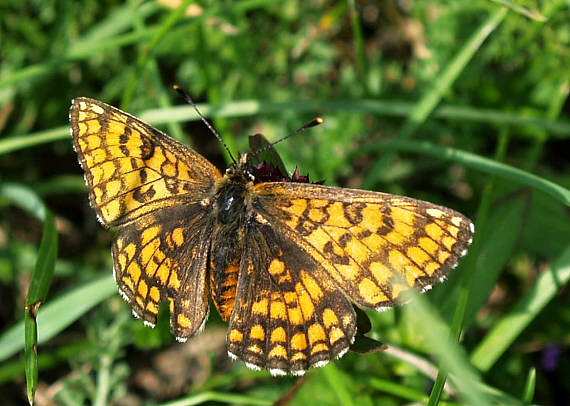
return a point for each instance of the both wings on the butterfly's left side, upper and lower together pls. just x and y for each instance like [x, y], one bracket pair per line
[151, 187]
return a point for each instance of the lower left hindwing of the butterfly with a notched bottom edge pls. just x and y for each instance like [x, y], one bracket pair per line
[164, 254]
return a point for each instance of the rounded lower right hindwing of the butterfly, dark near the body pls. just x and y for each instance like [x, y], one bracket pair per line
[288, 315]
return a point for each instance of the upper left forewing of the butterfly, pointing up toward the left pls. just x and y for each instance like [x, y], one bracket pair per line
[131, 168]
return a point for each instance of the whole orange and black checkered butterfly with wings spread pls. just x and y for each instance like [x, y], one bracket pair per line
[284, 260]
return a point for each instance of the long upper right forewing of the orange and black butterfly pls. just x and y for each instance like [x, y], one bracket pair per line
[372, 245]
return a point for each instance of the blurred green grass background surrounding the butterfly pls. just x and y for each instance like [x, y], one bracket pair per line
[464, 104]
